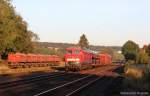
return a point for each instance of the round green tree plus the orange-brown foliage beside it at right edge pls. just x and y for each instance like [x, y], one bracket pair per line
[132, 52]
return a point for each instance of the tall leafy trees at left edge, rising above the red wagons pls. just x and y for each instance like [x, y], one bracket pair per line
[14, 33]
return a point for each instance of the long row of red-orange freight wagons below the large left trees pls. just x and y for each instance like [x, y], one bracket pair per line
[31, 60]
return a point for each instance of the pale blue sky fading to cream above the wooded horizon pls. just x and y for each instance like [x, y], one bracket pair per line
[105, 22]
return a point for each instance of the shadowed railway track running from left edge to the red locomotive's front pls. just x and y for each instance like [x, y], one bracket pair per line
[20, 82]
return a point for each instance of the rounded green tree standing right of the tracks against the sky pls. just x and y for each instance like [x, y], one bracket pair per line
[130, 50]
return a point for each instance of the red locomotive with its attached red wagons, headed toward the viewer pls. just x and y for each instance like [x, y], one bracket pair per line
[78, 59]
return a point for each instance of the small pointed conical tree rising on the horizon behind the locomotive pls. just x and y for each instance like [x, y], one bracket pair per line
[83, 42]
